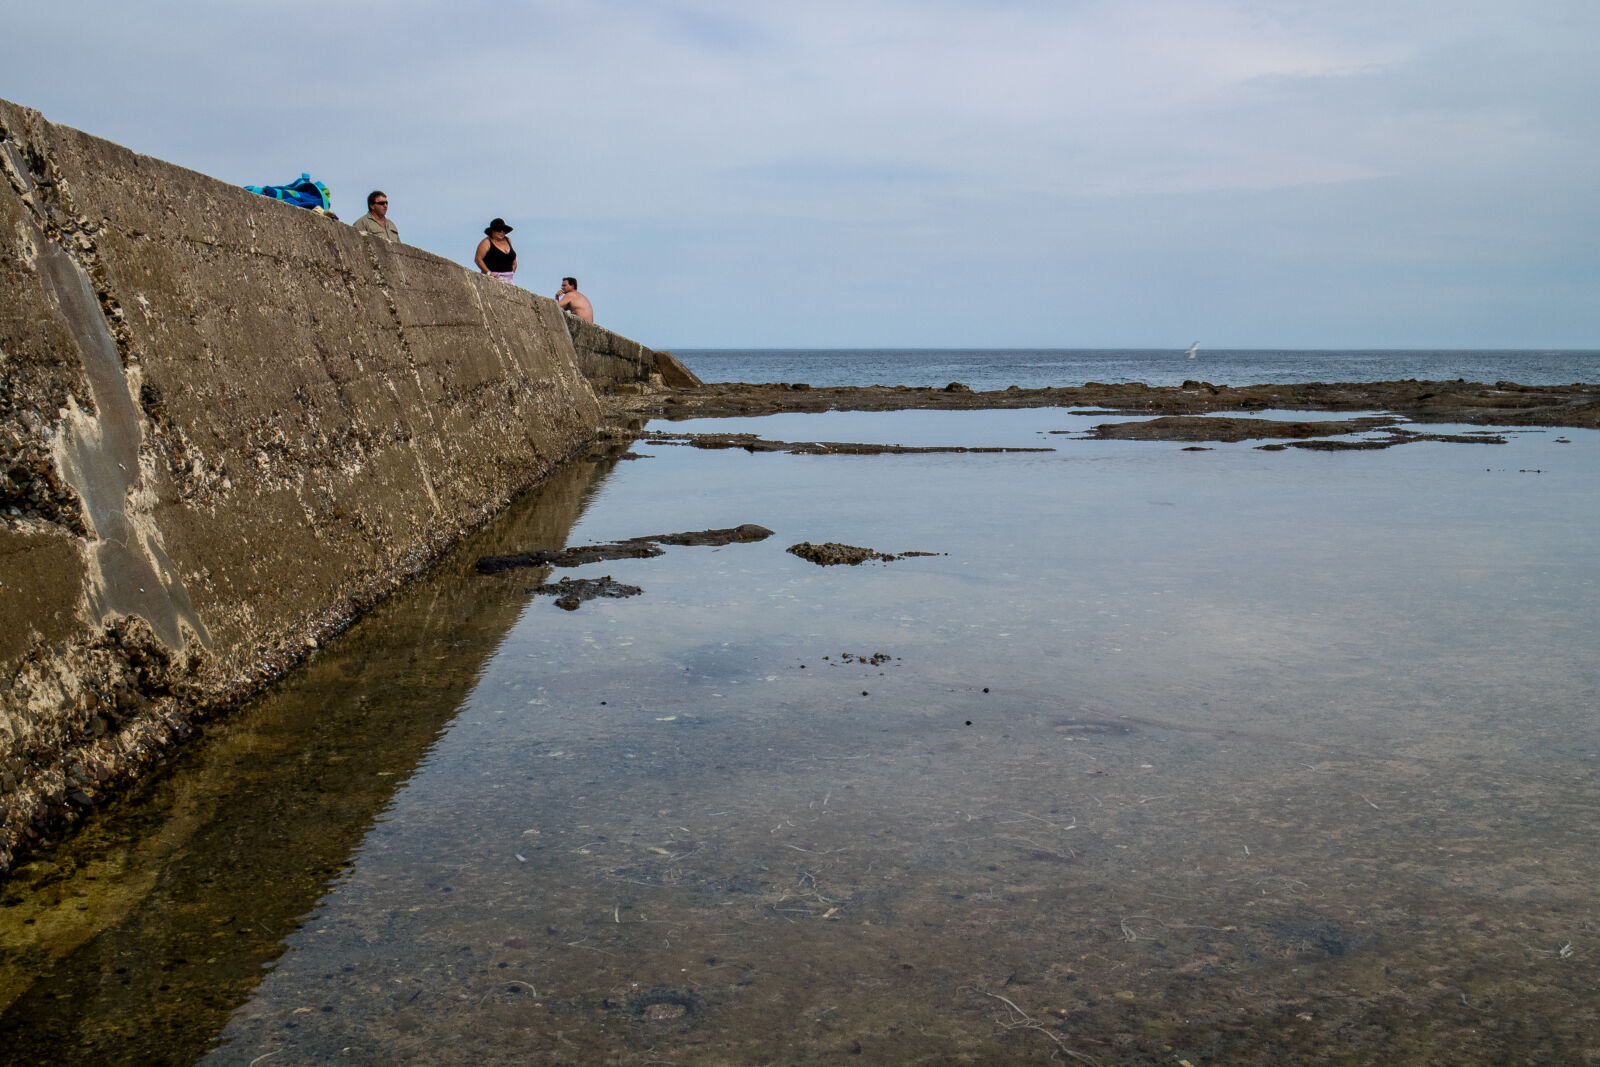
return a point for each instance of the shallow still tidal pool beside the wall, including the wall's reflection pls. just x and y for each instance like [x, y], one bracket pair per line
[1217, 756]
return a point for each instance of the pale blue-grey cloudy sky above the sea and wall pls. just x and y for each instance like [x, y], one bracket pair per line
[911, 174]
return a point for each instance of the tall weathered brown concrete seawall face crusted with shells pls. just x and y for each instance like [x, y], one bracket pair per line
[226, 428]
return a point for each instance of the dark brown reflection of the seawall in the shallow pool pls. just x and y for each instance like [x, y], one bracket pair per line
[137, 940]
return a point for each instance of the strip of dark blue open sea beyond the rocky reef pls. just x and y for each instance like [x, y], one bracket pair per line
[1036, 369]
